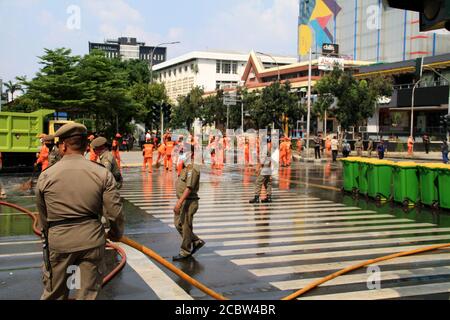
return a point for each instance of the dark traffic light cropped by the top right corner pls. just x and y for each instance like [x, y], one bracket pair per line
[434, 14]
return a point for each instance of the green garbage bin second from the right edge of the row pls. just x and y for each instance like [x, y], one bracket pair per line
[428, 181]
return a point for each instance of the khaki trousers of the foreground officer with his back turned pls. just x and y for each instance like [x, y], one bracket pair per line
[90, 264]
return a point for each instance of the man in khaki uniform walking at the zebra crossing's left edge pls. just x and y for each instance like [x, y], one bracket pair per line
[187, 187]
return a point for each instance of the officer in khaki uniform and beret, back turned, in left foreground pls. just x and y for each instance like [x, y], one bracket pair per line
[70, 196]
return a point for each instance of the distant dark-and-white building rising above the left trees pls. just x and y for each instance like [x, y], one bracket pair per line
[130, 48]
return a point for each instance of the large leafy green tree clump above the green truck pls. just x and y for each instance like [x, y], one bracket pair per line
[110, 92]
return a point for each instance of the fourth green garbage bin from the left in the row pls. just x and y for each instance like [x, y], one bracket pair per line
[405, 180]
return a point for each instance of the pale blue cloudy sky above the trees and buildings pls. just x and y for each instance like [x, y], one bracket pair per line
[29, 26]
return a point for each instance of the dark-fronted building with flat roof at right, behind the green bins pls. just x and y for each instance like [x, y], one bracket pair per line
[393, 116]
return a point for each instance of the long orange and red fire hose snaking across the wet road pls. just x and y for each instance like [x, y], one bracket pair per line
[151, 254]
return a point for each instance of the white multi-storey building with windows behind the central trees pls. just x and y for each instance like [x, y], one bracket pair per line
[210, 70]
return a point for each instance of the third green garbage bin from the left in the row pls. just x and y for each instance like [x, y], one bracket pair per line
[379, 178]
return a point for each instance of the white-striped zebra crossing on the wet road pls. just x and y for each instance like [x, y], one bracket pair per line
[301, 238]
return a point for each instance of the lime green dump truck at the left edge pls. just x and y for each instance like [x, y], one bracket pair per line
[19, 135]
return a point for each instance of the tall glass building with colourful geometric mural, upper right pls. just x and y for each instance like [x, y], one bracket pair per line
[366, 30]
